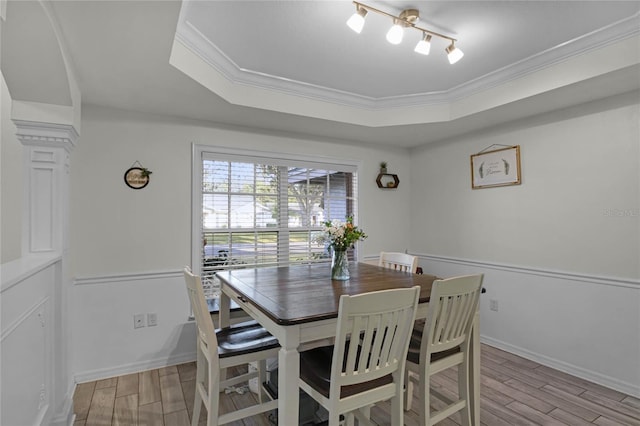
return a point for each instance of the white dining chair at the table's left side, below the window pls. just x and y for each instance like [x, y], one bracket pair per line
[220, 349]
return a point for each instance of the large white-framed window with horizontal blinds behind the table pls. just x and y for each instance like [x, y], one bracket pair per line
[254, 209]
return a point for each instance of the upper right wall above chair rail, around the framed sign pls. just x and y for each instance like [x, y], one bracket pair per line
[577, 165]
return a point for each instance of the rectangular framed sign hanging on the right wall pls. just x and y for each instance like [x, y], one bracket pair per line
[500, 167]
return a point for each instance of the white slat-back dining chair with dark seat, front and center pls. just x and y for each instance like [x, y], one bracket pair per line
[347, 377]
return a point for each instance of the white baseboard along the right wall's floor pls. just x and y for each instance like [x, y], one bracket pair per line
[606, 381]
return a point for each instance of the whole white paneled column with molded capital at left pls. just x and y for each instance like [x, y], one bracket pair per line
[47, 148]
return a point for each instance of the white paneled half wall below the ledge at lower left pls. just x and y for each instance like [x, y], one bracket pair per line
[30, 343]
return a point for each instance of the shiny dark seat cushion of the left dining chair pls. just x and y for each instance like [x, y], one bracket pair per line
[244, 338]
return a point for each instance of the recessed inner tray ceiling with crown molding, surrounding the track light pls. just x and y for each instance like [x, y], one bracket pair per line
[308, 41]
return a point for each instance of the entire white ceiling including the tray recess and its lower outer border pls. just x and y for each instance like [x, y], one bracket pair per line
[294, 67]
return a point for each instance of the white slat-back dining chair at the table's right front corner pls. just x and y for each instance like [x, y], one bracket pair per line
[442, 341]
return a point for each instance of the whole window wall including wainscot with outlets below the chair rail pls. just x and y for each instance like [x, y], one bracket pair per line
[127, 246]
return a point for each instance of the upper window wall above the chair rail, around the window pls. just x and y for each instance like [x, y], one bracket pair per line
[118, 230]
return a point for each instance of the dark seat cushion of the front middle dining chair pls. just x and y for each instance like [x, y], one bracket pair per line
[315, 369]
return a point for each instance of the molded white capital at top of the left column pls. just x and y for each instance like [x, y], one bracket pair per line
[34, 133]
